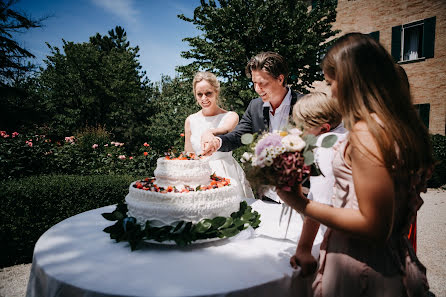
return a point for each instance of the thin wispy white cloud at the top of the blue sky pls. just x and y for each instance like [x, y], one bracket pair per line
[121, 8]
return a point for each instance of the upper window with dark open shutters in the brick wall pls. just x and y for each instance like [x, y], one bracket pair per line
[414, 41]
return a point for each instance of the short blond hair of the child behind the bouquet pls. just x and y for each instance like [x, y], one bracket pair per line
[315, 109]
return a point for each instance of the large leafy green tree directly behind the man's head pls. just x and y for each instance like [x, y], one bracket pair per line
[236, 30]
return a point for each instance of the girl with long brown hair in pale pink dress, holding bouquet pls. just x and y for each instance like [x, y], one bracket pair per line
[380, 170]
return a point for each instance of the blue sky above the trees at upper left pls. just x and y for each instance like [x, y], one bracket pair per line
[151, 24]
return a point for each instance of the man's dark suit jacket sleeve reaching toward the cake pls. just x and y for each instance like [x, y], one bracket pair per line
[232, 140]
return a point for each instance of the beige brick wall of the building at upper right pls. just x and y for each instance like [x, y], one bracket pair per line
[427, 78]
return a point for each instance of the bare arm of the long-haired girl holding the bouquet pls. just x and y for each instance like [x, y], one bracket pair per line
[374, 190]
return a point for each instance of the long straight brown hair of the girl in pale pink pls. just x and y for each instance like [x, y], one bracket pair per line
[369, 83]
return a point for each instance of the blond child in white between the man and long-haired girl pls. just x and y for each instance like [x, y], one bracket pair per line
[317, 114]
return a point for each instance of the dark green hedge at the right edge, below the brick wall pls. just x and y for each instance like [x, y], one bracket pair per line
[439, 152]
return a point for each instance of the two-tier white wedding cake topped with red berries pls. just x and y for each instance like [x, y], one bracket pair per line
[182, 190]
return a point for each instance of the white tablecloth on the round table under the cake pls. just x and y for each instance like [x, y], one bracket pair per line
[76, 258]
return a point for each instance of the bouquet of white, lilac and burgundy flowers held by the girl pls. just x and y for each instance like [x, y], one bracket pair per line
[281, 158]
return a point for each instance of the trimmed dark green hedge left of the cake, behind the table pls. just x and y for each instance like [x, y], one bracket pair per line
[30, 206]
